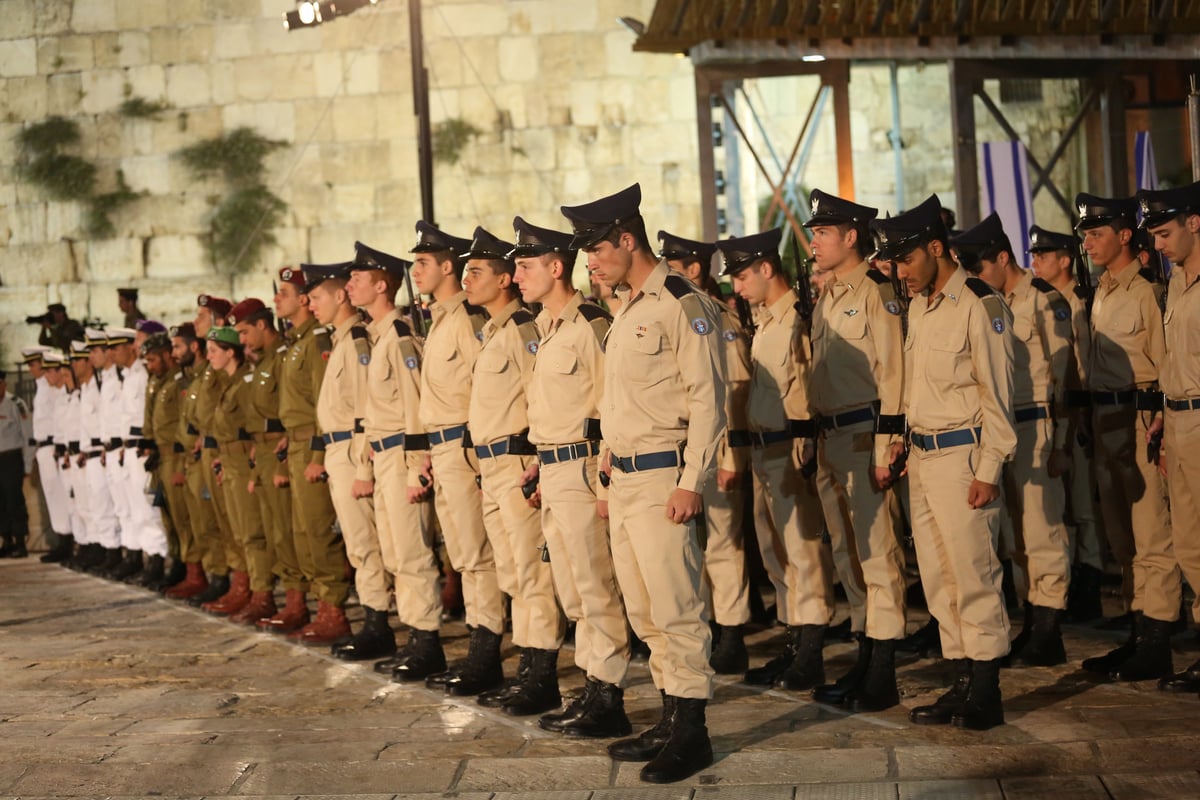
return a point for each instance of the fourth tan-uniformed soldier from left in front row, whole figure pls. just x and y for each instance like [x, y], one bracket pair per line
[500, 429]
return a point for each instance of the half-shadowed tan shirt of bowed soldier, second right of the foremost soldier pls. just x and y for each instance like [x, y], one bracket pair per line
[779, 389]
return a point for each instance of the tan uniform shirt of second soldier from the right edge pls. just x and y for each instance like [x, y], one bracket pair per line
[1127, 333]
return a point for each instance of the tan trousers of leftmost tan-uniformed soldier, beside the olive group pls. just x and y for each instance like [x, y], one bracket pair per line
[356, 516]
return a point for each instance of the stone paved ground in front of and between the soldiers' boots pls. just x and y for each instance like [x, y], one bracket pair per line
[110, 691]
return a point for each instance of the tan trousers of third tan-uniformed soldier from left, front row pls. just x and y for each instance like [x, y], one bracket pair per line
[461, 516]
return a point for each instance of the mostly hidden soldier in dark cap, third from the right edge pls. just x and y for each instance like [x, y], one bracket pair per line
[1053, 255]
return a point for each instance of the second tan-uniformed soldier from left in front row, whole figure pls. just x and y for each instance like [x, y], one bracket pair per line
[392, 424]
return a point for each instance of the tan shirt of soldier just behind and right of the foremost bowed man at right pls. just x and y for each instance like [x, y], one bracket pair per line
[1042, 326]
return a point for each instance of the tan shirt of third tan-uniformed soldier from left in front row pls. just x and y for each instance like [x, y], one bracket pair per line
[453, 345]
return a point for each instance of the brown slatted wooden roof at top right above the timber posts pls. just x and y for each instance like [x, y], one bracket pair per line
[933, 29]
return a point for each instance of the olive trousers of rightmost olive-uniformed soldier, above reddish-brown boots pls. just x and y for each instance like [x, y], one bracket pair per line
[320, 549]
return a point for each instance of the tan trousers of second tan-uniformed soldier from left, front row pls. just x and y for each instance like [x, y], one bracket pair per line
[407, 543]
